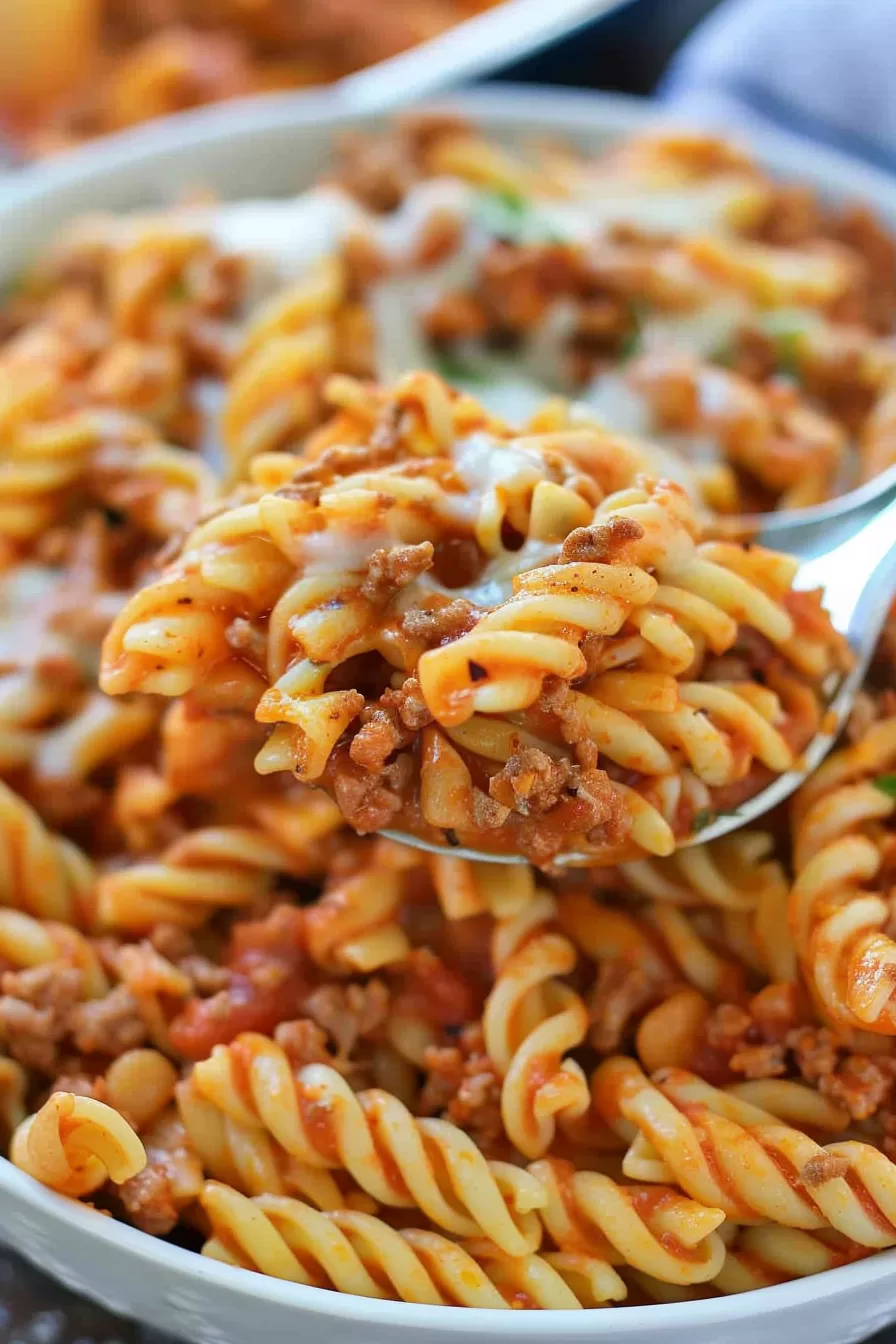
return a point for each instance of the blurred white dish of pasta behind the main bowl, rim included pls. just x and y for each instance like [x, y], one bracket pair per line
[72, 71]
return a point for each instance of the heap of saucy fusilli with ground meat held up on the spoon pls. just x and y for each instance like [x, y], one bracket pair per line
[601, 647]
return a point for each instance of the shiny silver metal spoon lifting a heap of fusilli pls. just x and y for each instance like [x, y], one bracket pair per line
[859, 577]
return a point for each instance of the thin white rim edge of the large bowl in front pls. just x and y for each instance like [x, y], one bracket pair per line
[512, 107]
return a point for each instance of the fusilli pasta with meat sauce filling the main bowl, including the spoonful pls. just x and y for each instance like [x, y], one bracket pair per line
[425, 502]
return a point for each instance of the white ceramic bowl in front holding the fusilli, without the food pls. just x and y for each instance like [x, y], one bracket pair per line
[268, 149]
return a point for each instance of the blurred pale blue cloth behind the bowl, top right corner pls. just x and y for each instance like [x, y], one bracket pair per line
[821, 69]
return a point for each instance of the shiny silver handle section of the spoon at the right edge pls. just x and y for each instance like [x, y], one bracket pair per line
[859, 579]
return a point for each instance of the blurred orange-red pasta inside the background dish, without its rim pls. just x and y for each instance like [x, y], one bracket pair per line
[72, 71]
